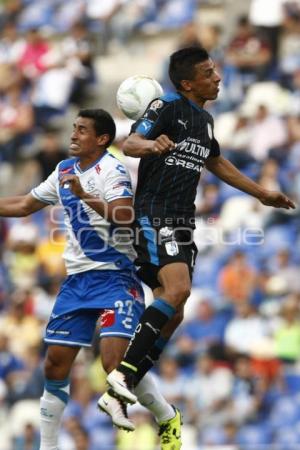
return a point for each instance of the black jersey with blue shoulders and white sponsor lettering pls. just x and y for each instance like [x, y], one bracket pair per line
[167, 184]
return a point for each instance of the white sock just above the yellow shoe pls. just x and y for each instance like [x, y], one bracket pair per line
[149, 396]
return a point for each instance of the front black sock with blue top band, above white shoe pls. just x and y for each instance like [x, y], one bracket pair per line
[147, 332]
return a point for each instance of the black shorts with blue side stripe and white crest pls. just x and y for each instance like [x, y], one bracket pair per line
[157, 246]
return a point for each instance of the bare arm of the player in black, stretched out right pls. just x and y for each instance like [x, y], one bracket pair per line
[227, 172]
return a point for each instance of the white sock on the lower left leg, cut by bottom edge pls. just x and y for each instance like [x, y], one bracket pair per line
[51, 411]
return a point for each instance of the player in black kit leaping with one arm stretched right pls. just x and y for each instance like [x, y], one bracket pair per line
[175, 141]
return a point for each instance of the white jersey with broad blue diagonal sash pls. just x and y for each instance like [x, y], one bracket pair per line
[93, 243]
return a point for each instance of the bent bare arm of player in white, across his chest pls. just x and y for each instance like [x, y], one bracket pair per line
[119, 211]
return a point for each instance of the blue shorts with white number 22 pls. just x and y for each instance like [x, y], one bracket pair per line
[112, 300]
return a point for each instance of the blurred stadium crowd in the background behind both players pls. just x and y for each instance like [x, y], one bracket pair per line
[234, 365]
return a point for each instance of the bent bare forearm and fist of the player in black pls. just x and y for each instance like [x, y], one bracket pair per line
[137, 146]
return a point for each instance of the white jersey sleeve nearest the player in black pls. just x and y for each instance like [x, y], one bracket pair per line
[117, 182]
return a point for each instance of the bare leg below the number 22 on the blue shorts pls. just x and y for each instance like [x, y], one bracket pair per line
[112, 350]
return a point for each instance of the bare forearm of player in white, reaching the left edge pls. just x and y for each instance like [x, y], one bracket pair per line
[20, 206]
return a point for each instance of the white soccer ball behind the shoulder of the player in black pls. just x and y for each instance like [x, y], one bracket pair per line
[135, 93]
